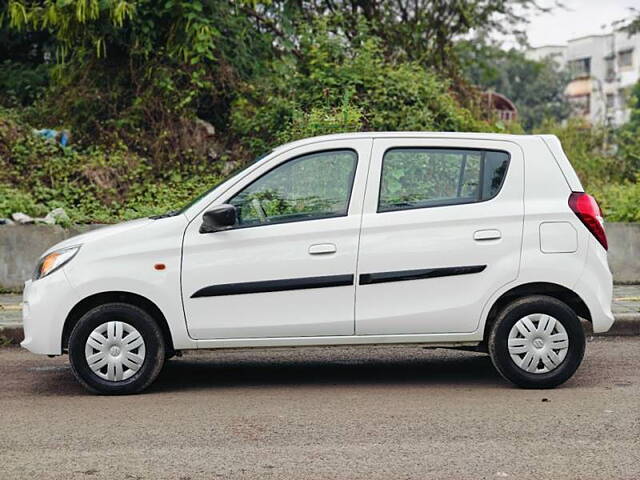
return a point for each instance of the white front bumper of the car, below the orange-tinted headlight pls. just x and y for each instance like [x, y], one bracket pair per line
[46, 304]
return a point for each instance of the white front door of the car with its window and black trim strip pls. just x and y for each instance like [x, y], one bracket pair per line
[287, 268]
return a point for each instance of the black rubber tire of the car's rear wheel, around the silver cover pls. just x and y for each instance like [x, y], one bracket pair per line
[507, 318]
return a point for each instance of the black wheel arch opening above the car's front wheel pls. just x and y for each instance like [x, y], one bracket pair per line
[92, 301]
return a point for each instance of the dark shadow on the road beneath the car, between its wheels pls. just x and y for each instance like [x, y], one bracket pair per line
[421, 368]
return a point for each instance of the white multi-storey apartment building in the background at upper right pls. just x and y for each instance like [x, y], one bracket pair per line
[604, 69]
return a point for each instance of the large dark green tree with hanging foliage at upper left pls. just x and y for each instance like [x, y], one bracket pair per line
[141, 71]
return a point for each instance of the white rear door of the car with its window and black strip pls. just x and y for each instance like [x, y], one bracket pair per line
[441, 231]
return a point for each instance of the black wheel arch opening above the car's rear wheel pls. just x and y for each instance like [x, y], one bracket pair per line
[562, 293]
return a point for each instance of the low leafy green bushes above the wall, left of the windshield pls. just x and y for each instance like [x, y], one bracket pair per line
[94, 184]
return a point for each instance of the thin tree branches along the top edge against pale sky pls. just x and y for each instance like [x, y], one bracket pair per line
[418, 30]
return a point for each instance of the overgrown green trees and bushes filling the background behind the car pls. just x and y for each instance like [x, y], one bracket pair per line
[162, 99]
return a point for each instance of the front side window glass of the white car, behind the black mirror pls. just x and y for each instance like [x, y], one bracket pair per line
[317, 185]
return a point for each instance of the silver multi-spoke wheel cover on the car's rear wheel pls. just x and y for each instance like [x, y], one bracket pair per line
[538, 343]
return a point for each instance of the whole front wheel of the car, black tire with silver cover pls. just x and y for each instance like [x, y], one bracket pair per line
[116, 349]
